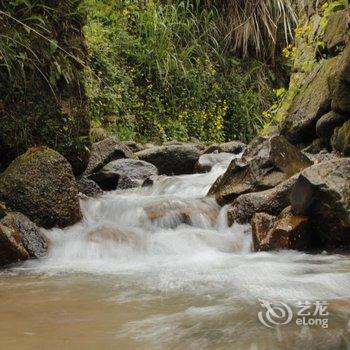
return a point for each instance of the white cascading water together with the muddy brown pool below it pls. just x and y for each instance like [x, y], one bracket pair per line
[158, 268]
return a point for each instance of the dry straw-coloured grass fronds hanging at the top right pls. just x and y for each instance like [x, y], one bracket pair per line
[256, 27]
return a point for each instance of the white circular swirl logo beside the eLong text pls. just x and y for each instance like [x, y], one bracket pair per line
[274, 313]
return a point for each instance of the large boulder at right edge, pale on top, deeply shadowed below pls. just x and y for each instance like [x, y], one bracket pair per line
[322, 192]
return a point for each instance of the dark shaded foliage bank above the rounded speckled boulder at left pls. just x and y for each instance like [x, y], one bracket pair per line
[41, 99]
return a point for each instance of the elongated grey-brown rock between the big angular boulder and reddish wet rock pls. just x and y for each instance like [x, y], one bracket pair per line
[271, 201]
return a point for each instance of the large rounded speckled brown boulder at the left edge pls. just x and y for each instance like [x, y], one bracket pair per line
[41, 185]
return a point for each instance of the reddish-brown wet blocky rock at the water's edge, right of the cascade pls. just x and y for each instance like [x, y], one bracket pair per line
[286, 231]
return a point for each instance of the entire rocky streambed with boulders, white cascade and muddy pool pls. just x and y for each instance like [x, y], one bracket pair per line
[178, 250]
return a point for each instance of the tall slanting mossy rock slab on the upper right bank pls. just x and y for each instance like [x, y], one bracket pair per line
[313, 101]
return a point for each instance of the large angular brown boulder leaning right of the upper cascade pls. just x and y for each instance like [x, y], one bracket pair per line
[266, 163]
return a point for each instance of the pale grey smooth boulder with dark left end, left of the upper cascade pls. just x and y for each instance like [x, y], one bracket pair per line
[123, 174]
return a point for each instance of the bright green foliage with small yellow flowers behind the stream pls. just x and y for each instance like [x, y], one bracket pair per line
[161, 71]
